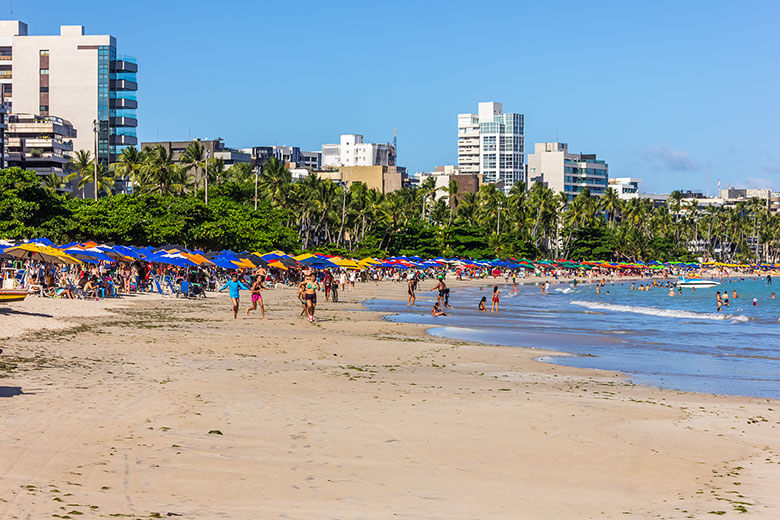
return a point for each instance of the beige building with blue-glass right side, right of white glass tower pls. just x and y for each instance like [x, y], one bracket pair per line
[553, 165]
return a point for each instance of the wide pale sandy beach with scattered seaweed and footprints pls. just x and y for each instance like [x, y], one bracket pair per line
[146, 407]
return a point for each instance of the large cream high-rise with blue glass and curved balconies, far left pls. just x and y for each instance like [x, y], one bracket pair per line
[75, 76]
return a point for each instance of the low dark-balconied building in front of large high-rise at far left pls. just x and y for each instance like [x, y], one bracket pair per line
[39, 143]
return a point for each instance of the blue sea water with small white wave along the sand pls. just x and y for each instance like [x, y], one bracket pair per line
[679, 342]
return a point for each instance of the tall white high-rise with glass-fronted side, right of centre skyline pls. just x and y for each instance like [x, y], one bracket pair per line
[492, 143]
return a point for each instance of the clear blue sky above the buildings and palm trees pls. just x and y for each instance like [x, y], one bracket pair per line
[680, 94]
